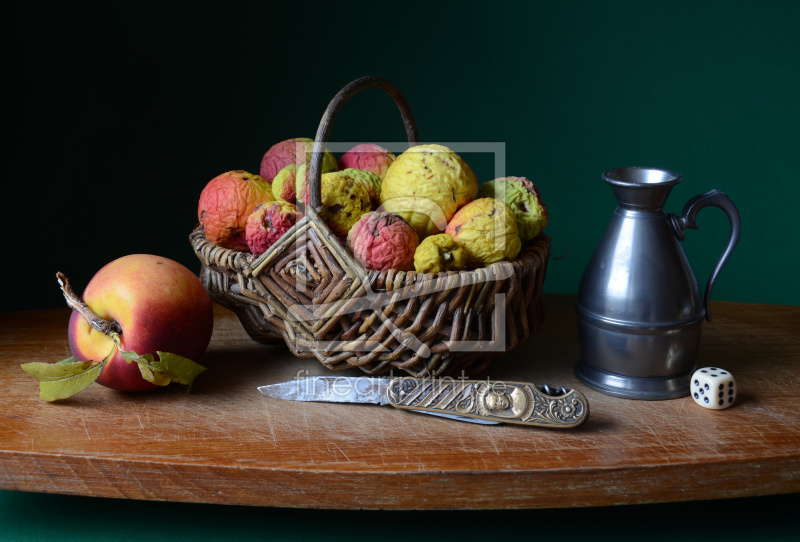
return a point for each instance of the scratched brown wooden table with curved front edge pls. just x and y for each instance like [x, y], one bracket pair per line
[226, 443]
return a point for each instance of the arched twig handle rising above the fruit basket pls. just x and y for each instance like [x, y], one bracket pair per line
[323, 131]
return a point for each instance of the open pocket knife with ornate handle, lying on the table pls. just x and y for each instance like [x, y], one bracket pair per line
[476, 401]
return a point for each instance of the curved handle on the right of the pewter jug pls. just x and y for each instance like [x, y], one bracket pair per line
[688, 217]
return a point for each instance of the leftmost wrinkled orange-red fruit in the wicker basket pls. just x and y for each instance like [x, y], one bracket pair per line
[225, 204]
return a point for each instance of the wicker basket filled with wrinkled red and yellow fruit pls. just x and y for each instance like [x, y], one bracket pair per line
[376, 261]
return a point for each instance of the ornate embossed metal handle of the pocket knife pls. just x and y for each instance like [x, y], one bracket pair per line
[505, 402]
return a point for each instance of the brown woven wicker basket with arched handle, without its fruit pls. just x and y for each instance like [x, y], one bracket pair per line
[306, 291]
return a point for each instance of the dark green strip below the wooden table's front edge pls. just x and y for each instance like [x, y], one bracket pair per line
[63, 518]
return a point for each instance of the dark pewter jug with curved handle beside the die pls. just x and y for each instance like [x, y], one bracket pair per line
[639, 305]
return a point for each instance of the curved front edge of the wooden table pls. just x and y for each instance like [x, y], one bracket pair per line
[399, 490]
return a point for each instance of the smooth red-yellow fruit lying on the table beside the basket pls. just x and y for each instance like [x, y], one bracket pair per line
[158, 304]
